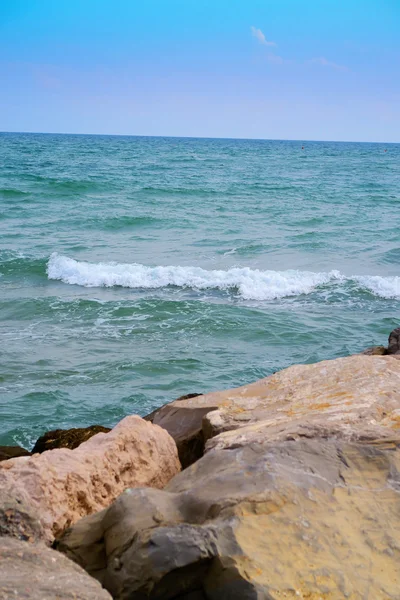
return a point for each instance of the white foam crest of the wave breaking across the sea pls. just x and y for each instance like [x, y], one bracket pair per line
[251, 284]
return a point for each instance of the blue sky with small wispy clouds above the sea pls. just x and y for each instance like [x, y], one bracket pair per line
[272, 69]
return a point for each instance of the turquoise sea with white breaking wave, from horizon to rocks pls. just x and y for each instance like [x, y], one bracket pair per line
[134, 270]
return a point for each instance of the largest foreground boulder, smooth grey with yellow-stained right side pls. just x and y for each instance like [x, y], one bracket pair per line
[306, 518]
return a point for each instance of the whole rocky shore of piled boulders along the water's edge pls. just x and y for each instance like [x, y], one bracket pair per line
[288, 487]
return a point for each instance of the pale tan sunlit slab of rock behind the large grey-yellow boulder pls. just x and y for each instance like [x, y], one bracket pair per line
[357, 397]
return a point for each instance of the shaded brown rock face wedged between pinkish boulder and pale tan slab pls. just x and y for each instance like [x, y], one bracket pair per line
[184, 426]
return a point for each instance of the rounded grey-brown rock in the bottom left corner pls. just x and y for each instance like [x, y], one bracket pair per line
[35, 572]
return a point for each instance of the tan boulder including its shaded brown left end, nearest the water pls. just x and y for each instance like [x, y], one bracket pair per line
[354, 394]
